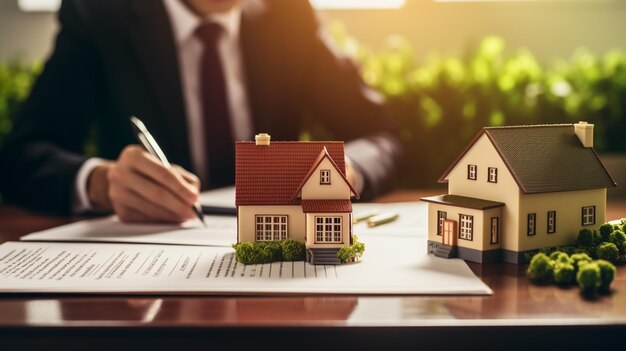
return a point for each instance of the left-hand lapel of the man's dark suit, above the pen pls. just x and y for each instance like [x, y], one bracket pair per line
[153, 41]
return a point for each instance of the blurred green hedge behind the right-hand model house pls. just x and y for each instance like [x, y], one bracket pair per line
[444, 100]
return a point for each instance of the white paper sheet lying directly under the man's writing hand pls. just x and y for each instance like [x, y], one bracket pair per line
[220, 231]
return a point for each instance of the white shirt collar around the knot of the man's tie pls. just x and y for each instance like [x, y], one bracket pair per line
[185, 22]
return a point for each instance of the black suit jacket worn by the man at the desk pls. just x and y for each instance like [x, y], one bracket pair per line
[117, 58]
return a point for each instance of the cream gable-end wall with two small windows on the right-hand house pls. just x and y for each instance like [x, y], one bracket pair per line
[484, 155]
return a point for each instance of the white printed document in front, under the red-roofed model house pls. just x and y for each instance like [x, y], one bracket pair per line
[389, 266]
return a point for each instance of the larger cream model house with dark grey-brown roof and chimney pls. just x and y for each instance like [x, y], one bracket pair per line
[516, 189]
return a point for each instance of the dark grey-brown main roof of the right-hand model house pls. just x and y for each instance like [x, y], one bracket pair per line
[544, 158]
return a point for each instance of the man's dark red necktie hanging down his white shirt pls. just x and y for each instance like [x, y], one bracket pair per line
[217, 124]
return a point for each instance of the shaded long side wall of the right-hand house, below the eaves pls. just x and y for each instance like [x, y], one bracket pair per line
[568, 207]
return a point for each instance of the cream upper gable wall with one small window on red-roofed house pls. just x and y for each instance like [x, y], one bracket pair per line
[338, 189]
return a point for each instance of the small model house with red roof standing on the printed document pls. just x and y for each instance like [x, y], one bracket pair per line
[294, 190]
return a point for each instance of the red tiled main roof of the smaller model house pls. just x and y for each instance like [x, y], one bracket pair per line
[270, 175]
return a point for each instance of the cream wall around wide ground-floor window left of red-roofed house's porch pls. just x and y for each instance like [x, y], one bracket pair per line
[295, 221]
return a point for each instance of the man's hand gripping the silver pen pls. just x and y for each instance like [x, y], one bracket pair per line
[138, 188]
